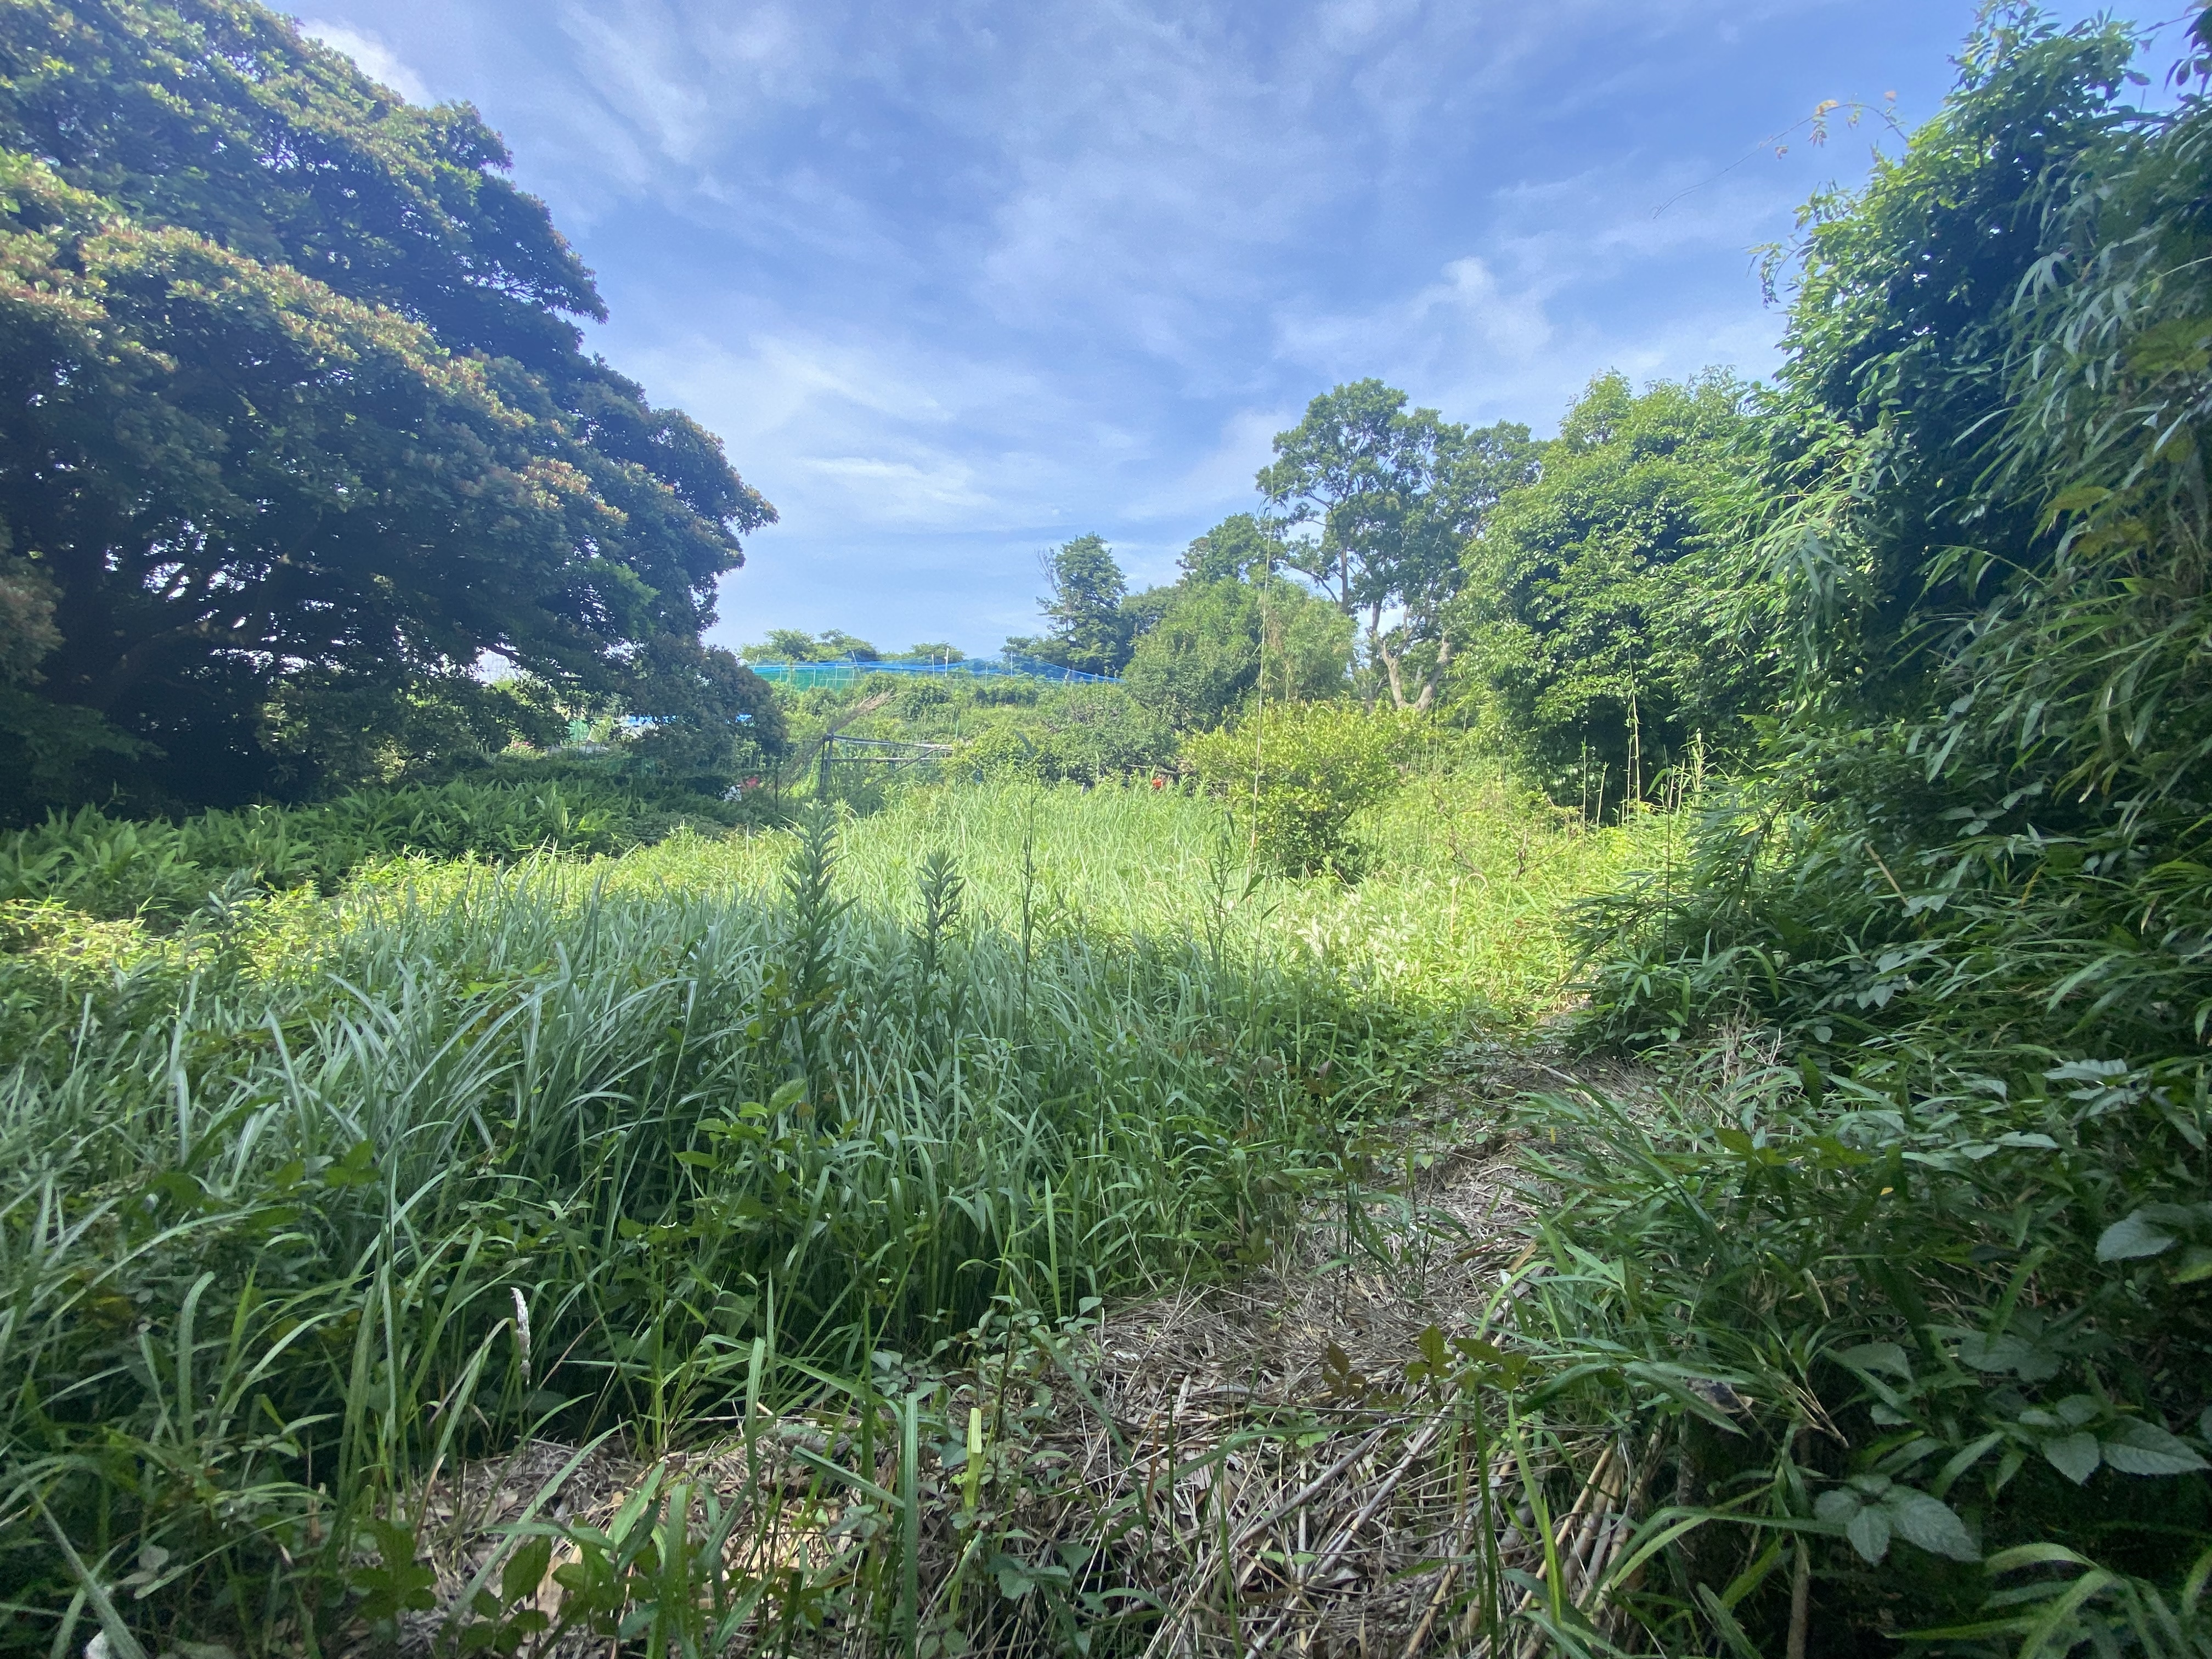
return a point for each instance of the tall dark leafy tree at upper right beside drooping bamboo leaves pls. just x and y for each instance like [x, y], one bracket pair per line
[1884, 508]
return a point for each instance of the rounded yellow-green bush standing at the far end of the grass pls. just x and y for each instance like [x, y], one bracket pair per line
[1302, 773]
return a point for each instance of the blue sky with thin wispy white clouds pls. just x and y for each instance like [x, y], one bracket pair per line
[957, 282]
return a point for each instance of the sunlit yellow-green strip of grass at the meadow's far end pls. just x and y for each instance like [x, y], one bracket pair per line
[1461, 915]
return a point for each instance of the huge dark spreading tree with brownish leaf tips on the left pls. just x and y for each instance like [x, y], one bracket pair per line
[295, 395]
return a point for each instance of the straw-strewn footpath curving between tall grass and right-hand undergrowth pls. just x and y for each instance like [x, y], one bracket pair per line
[1322, 1499]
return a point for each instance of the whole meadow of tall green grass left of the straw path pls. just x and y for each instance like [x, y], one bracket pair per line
[315, 1200]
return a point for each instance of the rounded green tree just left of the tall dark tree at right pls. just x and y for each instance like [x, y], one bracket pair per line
[1589, 592]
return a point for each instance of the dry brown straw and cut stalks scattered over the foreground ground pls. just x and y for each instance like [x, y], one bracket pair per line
[1229, 1470]
